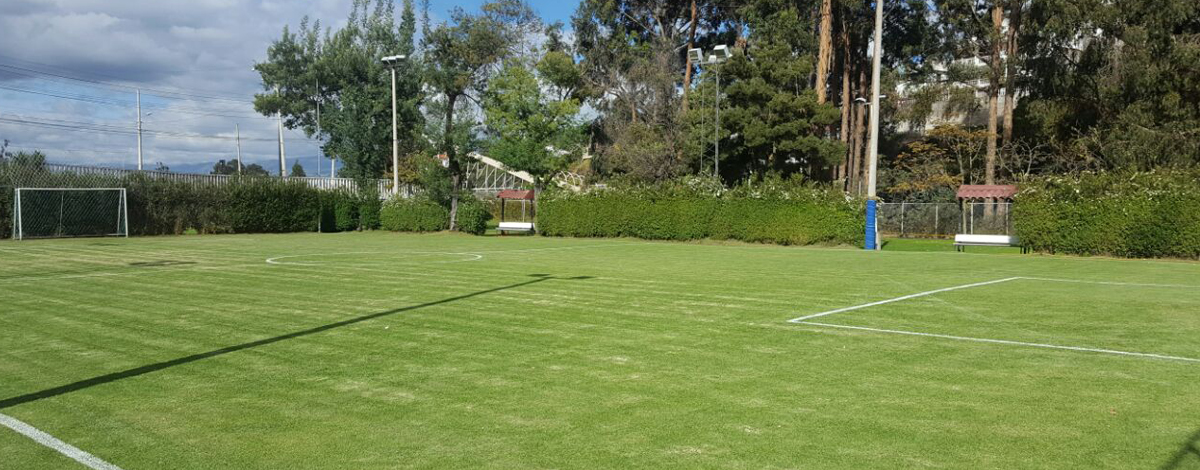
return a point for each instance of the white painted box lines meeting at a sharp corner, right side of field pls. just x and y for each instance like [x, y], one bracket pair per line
[802, 321]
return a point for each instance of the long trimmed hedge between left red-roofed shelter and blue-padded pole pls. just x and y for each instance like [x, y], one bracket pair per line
[771, 212]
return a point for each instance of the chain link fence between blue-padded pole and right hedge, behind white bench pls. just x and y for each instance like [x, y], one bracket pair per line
[944, 220]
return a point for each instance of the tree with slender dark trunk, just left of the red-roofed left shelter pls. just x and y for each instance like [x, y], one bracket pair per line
[459, 57]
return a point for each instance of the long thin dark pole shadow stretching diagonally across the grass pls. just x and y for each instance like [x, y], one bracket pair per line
[159, 366]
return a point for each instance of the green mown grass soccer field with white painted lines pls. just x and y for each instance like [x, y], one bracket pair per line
[380, 351]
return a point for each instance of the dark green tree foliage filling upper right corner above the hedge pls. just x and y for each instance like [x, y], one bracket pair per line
[1113, 86]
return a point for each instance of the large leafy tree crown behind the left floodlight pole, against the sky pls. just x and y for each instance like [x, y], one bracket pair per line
[341, 73]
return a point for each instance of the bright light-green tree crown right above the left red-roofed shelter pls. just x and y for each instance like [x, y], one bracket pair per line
[530, 131]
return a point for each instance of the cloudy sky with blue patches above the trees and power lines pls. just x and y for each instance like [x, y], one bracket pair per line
[70, 70]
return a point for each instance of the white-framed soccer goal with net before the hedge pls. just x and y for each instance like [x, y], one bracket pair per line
[67, 213]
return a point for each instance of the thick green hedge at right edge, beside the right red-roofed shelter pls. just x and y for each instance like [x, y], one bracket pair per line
[1137, 215]
